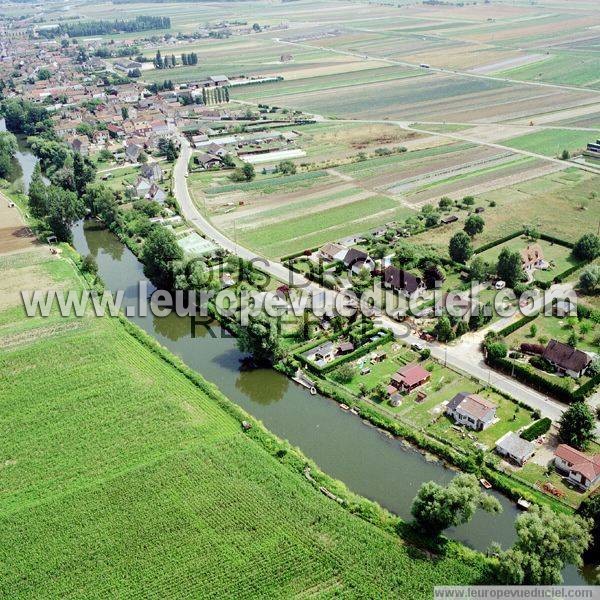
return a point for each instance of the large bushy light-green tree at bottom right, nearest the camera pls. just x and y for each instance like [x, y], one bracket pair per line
[546, 542]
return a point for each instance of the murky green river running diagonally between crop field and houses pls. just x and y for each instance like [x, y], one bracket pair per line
[369, 462]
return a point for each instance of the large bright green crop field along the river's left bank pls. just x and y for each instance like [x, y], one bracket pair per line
[121, 476]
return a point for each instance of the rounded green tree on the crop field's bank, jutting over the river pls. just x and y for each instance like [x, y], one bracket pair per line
[436, 508]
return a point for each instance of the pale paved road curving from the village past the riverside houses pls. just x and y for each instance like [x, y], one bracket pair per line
[464, 356]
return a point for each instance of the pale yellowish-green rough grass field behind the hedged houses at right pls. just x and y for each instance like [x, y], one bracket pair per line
[560, 204]
